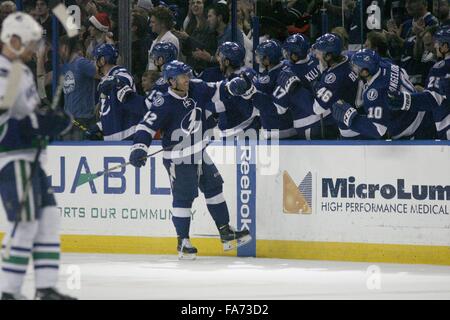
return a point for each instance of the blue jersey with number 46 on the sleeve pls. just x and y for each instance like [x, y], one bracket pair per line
[338, 82]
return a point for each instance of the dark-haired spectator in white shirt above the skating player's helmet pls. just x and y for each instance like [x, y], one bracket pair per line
[162, 22]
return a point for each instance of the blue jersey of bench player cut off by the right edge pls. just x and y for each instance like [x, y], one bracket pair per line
[436, 98]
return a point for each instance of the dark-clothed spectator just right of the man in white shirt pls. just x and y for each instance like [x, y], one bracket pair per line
[197, 36]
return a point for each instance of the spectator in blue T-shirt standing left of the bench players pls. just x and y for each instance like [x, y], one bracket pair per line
[79, 85]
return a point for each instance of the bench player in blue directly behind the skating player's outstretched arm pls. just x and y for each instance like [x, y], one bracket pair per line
[236, 115]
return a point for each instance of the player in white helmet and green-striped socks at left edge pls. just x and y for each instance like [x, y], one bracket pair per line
[33, 218]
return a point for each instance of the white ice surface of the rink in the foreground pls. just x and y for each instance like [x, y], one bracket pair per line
[105, 276]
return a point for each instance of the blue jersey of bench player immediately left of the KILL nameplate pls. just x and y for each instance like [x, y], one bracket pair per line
[275, 123]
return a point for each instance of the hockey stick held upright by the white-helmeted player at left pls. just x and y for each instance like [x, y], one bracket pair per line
[60, 11]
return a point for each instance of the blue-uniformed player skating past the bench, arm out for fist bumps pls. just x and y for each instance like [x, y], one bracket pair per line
[182, 116]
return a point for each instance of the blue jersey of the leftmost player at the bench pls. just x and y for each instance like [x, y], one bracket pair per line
[118, 119]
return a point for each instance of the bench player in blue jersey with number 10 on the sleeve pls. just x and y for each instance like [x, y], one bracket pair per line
[379, 121]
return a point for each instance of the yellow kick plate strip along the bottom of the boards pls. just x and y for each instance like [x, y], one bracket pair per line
[283, 249]
